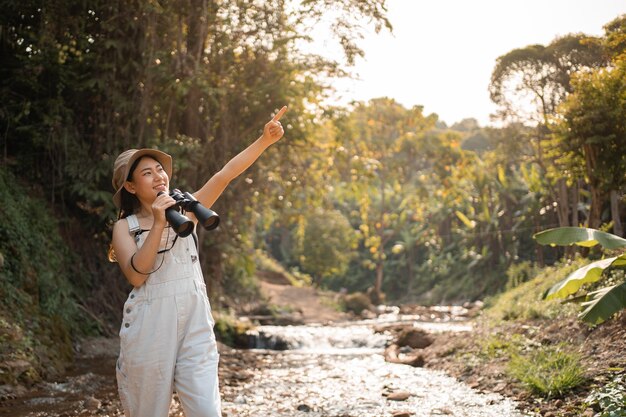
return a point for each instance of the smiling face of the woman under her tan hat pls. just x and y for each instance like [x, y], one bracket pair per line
[148, 179]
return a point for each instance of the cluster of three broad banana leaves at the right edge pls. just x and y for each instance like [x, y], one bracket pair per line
[600, 304]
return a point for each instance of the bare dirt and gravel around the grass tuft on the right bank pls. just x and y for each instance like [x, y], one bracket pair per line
[602, 350]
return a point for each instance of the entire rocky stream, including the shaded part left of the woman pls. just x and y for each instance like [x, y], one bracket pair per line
[293, 371]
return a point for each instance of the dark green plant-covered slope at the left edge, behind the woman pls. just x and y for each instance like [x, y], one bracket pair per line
[38, 286]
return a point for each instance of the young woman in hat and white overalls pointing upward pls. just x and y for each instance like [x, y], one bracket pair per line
[167, 341]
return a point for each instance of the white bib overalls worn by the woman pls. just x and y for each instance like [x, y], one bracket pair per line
[167, 340]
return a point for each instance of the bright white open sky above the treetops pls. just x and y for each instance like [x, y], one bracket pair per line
[442, 52]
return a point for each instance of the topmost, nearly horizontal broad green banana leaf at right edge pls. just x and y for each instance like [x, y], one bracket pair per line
[580, 236]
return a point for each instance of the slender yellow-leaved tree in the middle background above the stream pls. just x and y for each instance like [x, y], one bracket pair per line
[375, 165]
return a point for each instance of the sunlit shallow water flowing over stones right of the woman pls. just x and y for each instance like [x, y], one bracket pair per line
[339, 371]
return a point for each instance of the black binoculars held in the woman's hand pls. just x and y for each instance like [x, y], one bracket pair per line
[182, 225]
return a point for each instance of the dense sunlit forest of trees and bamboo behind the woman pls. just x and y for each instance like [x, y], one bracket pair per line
[372, 197]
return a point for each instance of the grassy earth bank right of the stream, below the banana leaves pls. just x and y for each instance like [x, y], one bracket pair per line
[539, 353]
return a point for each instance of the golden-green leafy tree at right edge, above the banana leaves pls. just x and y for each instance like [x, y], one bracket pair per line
[591, 132]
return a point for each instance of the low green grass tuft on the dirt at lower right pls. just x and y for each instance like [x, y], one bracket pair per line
[548, 371]
